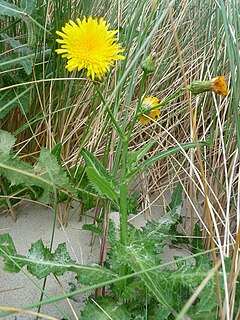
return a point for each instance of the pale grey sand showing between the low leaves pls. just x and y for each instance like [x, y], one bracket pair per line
[34, 223]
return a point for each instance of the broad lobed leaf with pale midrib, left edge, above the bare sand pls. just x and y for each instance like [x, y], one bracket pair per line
[46, 174]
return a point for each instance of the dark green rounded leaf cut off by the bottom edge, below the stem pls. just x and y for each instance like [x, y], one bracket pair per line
[112, 310]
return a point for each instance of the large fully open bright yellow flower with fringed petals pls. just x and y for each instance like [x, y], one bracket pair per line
[89, 45]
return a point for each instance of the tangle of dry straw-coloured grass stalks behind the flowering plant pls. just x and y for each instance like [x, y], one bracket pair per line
[70, 112]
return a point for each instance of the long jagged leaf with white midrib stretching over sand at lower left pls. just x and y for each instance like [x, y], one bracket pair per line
[41, 262]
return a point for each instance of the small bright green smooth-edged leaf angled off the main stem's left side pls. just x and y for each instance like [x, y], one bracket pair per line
[103, 186]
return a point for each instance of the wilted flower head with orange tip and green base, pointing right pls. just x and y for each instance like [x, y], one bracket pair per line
[217, 85]
